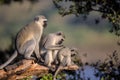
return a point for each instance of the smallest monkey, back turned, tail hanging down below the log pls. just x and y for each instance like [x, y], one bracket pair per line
[64, 58]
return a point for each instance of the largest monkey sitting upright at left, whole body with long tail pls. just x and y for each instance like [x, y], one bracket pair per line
[27, 40]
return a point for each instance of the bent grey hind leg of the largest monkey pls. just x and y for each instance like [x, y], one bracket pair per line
[29, 48]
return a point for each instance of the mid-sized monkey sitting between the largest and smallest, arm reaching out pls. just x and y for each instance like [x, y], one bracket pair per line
[52, 44]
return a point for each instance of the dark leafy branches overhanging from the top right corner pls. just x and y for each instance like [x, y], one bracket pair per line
[109, 9]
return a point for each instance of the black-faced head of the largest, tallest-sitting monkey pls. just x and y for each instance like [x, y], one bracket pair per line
[41, 20]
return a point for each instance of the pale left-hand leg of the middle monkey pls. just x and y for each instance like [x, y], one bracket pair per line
[48, 58]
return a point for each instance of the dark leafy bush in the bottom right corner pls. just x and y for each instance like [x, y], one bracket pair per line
[109, 69]
